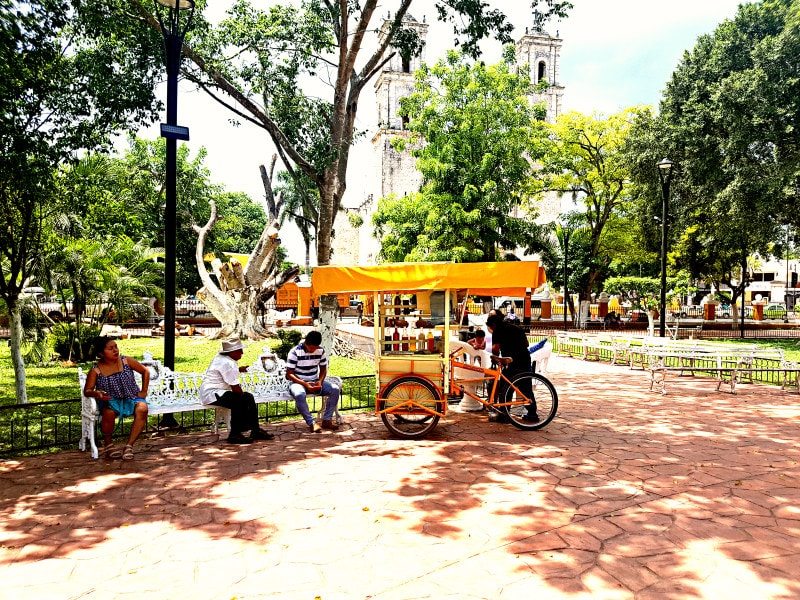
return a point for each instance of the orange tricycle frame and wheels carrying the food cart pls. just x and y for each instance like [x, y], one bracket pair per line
[410, 406]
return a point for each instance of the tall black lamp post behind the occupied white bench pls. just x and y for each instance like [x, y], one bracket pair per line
[173, 27]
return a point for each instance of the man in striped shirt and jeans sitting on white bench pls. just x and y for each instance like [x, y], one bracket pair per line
[307, 369]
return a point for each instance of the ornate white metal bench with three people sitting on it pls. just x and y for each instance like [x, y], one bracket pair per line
[175, 392]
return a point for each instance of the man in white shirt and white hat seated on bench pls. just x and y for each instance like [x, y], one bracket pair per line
[221, 387]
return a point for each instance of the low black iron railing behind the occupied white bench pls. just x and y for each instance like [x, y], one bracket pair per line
[47, 426]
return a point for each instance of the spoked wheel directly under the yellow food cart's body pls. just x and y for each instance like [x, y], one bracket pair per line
[410, 422]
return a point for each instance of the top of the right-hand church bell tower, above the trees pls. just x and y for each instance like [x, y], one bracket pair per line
[542, 53]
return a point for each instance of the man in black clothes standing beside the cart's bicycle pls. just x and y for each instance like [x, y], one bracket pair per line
[510, 345]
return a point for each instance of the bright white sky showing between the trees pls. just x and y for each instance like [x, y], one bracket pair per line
[615, 54]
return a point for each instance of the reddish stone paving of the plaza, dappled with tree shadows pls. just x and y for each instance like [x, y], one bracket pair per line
[627, 494]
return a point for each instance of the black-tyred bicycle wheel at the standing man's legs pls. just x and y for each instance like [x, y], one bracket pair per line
[526, 391]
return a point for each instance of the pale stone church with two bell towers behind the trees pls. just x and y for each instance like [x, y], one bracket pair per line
[392, 172]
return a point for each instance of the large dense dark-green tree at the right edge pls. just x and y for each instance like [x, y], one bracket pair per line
[728, 119]
